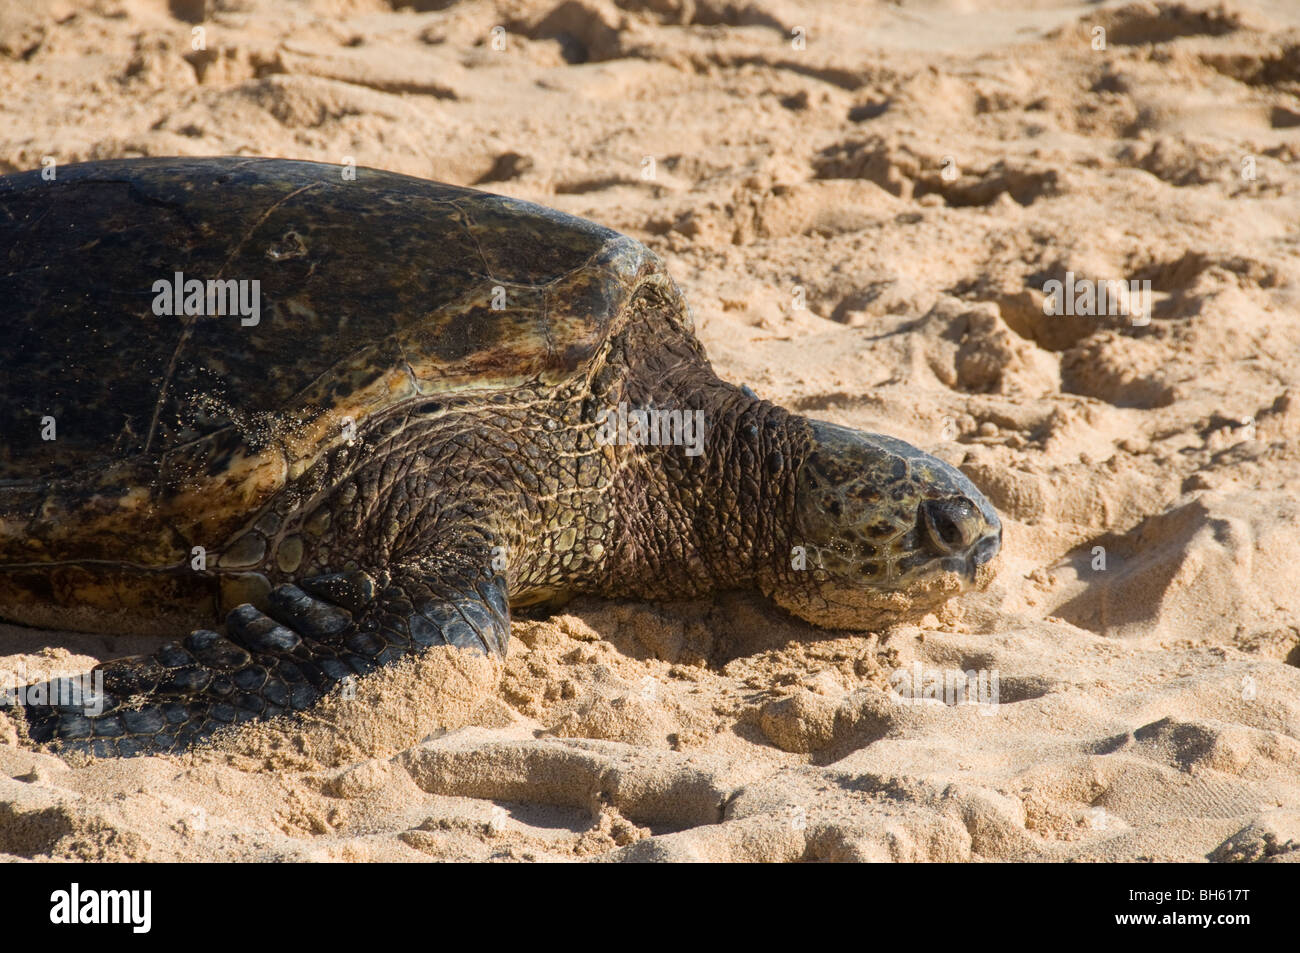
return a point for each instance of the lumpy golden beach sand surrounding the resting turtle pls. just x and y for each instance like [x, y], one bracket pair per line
[915, 176]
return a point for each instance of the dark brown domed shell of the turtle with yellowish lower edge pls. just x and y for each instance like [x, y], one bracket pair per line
[375, 289]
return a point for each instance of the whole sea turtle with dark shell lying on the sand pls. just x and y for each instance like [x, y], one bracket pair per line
[354, 414]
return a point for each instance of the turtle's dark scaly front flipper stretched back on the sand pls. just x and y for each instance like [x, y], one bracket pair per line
[313, 639]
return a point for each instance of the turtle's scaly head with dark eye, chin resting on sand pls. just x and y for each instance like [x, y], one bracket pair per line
[882, 531]
